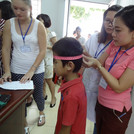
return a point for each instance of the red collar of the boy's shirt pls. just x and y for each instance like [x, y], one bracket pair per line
[68, 84]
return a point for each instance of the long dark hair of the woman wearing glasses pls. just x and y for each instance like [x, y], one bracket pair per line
[103, 34]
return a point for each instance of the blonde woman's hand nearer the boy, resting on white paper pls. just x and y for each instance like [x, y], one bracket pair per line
[27, 77]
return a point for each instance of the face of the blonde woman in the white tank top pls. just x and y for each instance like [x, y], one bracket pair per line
[21, 9]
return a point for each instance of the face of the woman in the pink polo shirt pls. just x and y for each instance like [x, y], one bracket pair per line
[122, 35]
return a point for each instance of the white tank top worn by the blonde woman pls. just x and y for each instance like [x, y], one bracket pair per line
[21, 62]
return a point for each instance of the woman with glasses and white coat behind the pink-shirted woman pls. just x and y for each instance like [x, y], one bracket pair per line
[95, 47]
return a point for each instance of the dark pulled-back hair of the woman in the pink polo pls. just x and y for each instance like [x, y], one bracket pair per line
[127, 16]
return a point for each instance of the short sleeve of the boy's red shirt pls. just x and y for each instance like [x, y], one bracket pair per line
[70, 108]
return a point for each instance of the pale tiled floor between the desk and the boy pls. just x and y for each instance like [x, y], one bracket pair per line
[51, 116]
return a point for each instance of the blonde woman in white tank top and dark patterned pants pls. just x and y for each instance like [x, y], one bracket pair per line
[29, 48]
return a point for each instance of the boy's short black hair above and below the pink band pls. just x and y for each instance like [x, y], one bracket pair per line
[69, 47]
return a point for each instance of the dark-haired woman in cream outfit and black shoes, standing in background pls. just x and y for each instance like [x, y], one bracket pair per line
[51, 39]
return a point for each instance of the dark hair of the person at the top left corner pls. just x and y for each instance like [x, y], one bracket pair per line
[6, 10]
